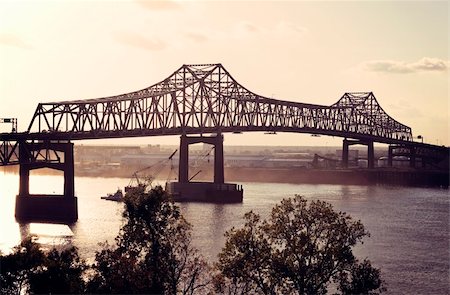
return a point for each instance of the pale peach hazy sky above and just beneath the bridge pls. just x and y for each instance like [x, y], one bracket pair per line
[309, 52]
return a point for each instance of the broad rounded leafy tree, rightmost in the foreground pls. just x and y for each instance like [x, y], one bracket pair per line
[300, 249]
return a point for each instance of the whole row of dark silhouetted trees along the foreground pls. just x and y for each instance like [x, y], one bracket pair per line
[302, 248]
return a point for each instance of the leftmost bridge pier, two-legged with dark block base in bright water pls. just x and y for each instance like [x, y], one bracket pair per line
[44, 207]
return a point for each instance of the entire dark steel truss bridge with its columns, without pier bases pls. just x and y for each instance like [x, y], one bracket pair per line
[200, 100]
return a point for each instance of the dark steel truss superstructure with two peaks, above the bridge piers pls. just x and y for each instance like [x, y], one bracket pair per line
[198, 99]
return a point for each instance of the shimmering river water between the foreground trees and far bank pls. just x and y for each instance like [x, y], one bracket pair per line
[409, 227]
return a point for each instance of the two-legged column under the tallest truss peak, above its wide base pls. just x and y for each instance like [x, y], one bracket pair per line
[217, 141]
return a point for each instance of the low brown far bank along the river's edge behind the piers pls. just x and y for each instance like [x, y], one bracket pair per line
[380, 176]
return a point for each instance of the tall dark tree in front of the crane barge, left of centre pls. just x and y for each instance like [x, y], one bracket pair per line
[153, 245]
